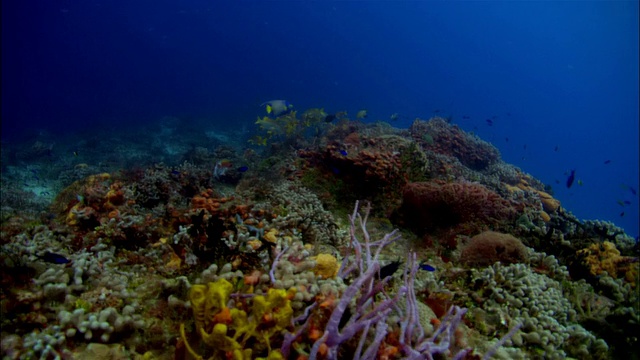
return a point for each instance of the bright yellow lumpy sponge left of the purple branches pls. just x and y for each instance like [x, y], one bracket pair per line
[232, 330]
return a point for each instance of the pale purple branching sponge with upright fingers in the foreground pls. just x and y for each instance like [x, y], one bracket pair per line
[361, 312]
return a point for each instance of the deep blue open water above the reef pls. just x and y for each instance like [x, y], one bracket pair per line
[559, 79]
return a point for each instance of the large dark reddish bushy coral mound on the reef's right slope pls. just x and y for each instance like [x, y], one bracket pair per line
[428, 206]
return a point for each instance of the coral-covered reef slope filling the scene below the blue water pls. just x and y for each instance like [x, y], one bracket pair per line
[172, 242]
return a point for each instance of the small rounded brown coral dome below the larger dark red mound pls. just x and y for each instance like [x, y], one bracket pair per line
[490, 247]
